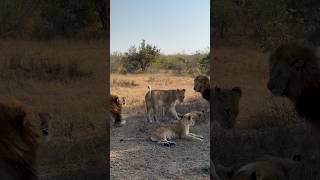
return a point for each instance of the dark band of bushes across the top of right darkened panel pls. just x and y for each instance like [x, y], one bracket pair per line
[265, 23]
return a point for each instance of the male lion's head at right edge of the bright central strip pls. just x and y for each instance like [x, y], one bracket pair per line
[202, 85]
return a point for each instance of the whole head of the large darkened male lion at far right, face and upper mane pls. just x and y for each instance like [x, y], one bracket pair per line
[292, 67]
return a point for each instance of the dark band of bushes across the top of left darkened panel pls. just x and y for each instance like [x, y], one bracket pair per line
[48, 19]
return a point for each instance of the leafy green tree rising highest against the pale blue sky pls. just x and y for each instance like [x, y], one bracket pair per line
[141, 58]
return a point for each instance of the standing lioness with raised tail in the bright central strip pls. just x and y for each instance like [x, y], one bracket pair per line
[163, 100]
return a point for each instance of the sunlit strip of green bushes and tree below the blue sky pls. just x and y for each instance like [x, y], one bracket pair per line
[148, 58]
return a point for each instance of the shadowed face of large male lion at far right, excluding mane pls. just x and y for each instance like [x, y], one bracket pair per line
[278, 83]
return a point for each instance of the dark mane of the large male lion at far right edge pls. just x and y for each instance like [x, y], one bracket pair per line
[304, 84]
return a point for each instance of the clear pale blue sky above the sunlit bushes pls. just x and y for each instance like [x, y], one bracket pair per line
[174, 26]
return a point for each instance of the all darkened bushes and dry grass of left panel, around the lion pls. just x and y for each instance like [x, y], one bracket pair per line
[53, 58]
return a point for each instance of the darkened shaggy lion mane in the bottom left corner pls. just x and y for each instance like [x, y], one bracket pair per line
[19, 140]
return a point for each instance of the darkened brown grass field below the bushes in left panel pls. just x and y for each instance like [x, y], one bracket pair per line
[66, 79]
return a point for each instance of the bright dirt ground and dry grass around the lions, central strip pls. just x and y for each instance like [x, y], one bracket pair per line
[143, 159]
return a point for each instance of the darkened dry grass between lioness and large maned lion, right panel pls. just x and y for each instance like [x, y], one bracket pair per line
[266, 124]
